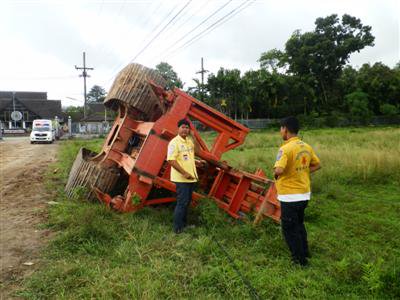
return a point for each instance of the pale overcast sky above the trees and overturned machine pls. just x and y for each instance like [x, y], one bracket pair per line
[42, 41]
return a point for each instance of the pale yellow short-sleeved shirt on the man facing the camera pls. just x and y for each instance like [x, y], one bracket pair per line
[182, 150]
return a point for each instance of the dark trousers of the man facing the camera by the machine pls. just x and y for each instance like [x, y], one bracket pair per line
[184, 192]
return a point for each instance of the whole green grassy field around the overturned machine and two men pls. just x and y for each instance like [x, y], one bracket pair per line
[353, 223]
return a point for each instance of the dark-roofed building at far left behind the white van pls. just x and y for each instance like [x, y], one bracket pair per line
[31, 105]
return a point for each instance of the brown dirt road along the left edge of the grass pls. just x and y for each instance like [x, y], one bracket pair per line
[23, 199]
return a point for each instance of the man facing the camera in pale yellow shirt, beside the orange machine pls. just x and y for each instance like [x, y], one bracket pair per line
[181, 157]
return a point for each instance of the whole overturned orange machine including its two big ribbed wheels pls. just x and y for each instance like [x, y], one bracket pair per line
[131, 171]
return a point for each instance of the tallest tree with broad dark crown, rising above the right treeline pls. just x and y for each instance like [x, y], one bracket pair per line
[322, 53]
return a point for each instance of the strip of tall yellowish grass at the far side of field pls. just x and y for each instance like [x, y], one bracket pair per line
[347, 155]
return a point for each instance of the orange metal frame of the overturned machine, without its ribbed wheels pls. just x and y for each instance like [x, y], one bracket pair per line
[140, 149]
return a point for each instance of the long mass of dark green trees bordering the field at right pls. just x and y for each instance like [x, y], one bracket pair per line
[309, 76]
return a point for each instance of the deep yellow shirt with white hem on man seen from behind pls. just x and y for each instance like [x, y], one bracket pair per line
[295, 158]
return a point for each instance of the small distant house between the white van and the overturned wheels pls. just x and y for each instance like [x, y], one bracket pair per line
[98, 118]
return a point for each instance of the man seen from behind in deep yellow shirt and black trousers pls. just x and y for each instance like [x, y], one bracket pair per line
[294, 163]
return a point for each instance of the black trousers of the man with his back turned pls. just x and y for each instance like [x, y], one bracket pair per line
[294, 231]
